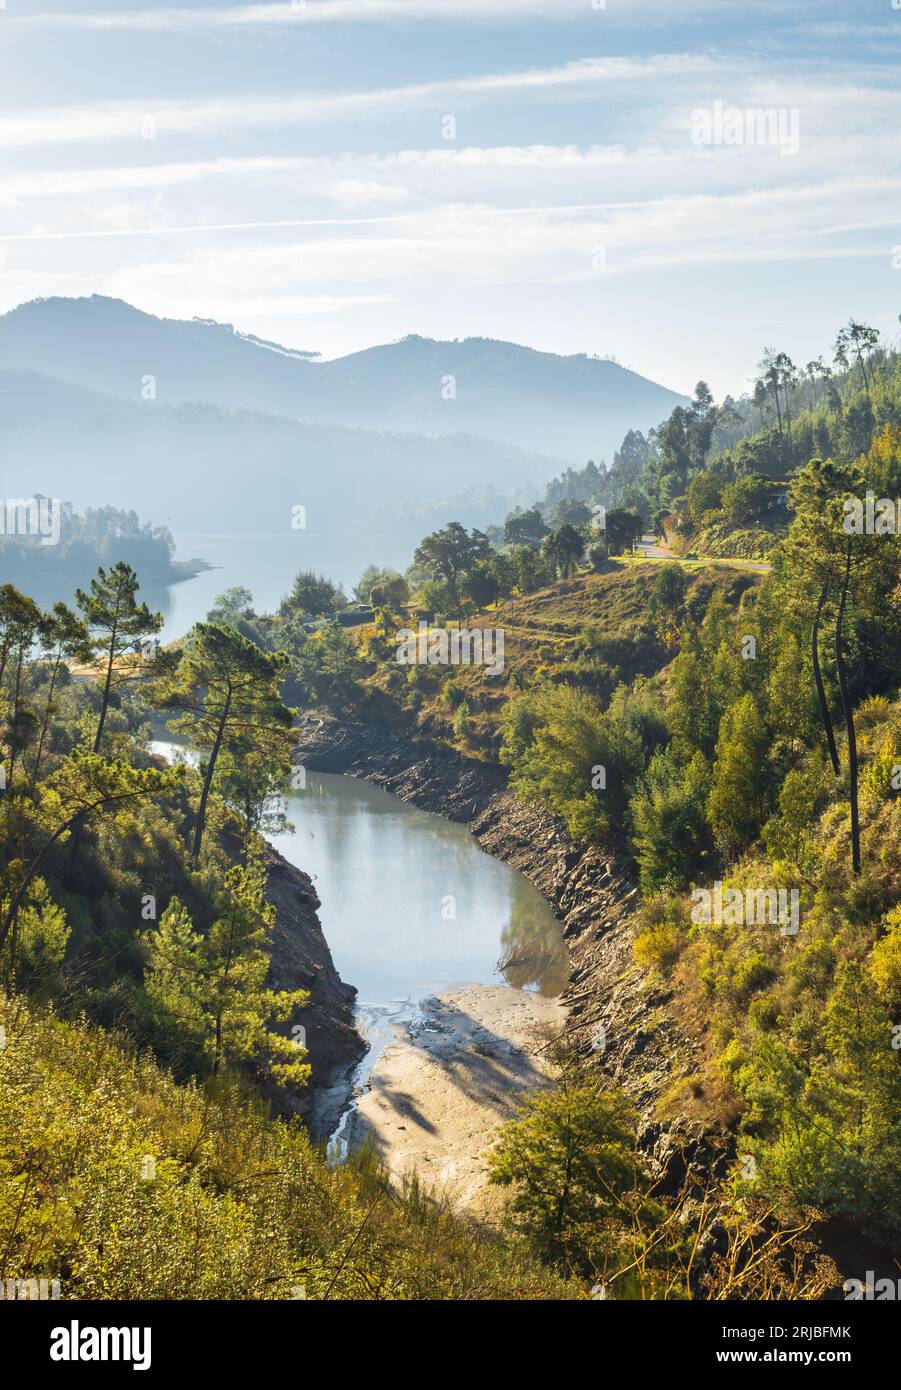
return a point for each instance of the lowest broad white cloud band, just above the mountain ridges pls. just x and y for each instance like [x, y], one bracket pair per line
[471, 244]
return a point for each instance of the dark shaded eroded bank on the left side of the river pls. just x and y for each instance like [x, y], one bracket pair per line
[301, 960]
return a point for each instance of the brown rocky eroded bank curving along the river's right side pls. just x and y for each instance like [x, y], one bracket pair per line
[617, 1014]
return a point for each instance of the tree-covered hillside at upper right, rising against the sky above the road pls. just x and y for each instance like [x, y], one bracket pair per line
[714, 479]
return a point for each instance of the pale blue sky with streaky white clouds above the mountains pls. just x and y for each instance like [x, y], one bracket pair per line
[568, 174]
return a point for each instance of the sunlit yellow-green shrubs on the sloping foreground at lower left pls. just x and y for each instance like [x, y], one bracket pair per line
[123, 1185]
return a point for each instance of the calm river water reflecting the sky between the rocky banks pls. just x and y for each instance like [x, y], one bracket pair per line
[411, 904]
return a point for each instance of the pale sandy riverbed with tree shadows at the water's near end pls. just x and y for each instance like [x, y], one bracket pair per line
[441, 1090]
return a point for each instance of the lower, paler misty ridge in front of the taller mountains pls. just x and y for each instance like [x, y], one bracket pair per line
[204, 469]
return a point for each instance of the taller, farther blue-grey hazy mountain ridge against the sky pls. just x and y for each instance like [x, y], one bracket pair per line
[572, 408]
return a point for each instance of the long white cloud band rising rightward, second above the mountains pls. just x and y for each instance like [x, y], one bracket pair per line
[215, 191]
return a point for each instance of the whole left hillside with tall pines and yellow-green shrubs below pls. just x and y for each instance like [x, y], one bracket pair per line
[138, 1025]
